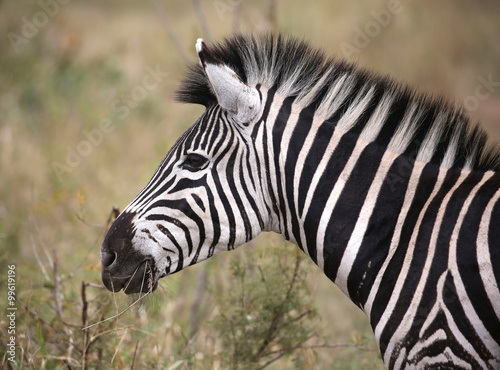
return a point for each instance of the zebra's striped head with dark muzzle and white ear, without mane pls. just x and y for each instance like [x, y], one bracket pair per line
[205, 197]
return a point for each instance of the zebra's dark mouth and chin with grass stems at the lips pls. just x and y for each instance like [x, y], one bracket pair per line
[141, 280]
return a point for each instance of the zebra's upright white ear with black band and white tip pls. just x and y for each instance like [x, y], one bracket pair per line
[241, 101]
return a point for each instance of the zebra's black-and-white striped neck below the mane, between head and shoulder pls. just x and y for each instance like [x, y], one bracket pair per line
[345, 200]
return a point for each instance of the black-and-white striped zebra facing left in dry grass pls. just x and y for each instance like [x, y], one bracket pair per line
[391, 192]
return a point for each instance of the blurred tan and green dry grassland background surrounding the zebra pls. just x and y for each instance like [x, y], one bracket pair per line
[87, 114]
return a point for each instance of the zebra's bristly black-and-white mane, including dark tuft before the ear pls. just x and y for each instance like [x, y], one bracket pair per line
[386, 111]
